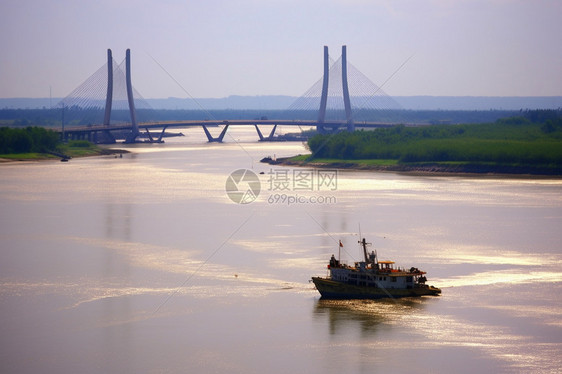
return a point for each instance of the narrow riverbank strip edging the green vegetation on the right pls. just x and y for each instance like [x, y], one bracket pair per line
[418, 168]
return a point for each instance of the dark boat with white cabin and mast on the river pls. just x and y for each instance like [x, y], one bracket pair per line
[372, 279]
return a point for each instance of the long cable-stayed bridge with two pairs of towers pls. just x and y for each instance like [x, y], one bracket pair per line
[106, 107]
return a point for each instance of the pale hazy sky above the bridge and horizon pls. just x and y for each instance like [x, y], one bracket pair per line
[216, 48]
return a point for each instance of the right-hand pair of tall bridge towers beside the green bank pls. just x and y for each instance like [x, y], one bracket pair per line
[345, 89]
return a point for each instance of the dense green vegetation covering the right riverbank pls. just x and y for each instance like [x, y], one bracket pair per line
[533, 140]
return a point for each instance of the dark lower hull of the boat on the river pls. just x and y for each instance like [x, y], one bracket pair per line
[330, 289]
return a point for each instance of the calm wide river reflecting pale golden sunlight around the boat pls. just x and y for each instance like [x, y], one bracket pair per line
[144, 264]
